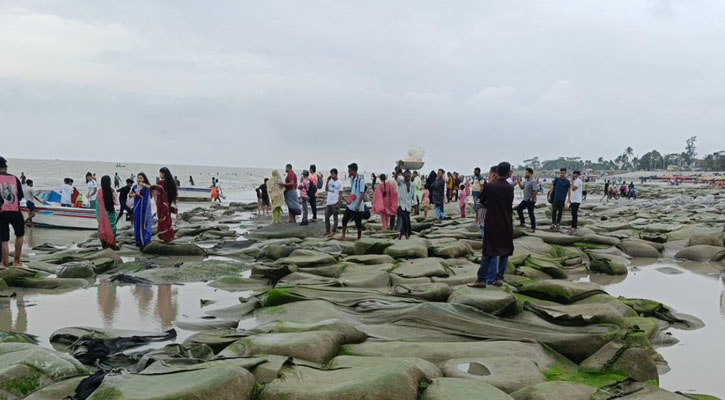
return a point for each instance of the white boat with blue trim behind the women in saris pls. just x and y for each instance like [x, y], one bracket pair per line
[53, 216]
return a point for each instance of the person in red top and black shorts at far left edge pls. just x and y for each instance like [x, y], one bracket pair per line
[11, 192]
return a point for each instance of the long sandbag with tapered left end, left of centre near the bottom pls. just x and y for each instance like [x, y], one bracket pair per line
[316, 346]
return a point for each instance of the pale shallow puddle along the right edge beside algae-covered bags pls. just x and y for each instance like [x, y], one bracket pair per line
[697, 289]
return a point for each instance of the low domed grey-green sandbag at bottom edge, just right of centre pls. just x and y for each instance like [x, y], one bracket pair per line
[462, 389]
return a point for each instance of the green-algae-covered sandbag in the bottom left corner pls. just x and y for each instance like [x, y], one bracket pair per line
[24, 368]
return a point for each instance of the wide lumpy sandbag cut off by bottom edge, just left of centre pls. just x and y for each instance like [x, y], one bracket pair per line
[382, 382]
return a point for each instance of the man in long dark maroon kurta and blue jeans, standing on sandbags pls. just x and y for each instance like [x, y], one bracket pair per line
[498, 242]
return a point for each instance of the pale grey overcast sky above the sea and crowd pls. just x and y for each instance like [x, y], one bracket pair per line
[260, 83]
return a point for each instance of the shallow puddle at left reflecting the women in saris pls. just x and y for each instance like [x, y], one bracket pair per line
[146, 308]
